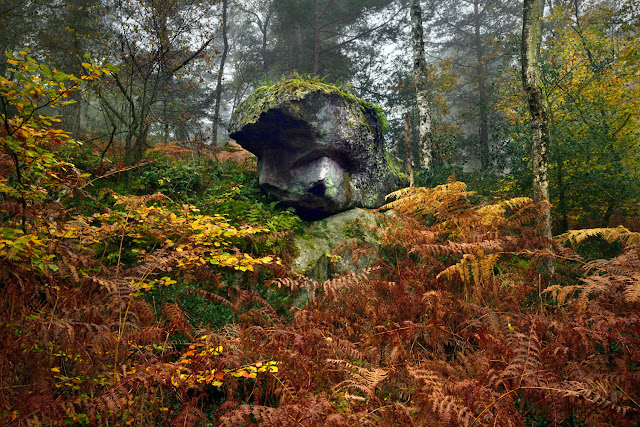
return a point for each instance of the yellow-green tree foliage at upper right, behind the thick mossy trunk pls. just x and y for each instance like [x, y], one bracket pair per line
[590, 68]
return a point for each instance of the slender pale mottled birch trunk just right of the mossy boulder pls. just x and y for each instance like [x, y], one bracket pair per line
[420, 81]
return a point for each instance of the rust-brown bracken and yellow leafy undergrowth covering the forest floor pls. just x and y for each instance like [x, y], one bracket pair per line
[452, 325]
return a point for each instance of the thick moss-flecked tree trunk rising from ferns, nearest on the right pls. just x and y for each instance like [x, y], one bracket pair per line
[537, 108]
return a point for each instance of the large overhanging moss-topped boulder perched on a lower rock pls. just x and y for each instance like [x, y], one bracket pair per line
[319, 149]
